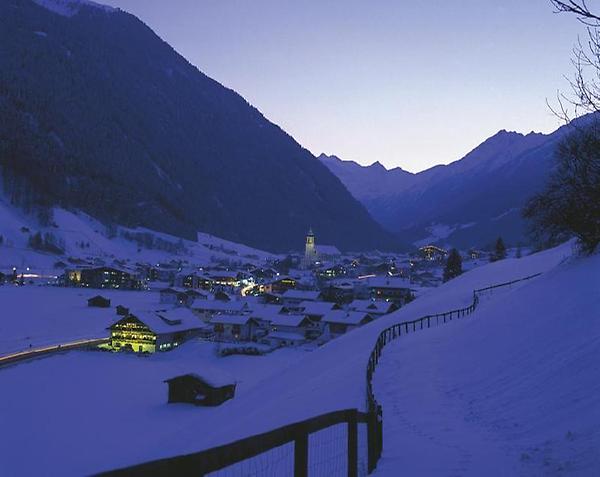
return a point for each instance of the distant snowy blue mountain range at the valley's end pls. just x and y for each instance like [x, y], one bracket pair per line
[467, 203]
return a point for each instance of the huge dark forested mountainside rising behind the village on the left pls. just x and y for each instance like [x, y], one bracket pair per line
[101, 115]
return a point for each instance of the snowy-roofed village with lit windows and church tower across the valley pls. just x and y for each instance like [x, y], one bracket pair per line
[247, 305]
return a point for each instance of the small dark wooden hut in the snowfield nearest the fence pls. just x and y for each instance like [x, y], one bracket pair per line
[199, 390]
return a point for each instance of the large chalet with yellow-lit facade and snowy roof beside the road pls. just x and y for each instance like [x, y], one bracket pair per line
[150, 331]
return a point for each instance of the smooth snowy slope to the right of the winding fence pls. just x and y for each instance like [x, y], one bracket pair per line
[513, 391]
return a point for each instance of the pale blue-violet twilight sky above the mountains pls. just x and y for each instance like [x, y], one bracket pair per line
[410, 84]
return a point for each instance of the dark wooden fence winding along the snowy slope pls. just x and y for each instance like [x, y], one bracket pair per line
[222, 457]
